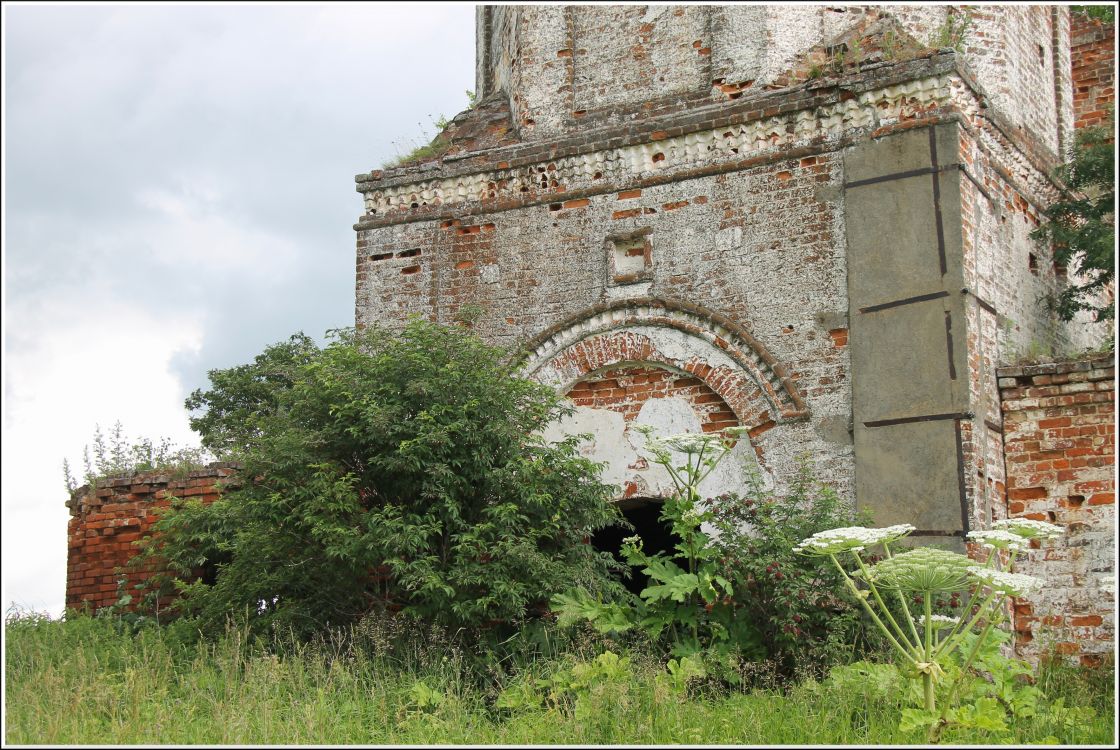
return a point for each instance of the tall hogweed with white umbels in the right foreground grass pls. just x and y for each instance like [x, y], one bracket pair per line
[928, 646]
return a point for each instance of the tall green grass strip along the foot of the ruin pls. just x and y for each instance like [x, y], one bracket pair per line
[91, 681]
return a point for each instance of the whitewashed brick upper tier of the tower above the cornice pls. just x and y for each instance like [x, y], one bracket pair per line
[566, 68]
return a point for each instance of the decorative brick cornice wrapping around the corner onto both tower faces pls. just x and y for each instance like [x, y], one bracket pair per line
[707, 140]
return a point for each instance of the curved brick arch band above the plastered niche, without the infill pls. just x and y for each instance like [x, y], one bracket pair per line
[676, 336]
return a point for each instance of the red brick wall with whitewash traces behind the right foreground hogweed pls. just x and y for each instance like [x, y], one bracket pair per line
[1060, 446]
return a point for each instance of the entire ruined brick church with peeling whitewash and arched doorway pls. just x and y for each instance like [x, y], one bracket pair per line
[813, 222]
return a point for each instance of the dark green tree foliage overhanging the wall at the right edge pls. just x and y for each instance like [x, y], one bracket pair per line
[1081, 226]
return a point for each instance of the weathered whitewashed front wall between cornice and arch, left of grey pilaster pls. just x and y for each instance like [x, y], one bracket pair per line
[711, 240]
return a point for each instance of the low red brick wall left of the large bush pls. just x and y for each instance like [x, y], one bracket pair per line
[106, 523]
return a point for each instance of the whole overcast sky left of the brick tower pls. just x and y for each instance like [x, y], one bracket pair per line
[180, 194]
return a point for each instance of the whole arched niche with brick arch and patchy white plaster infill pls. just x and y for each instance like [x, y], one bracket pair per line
[673, 367]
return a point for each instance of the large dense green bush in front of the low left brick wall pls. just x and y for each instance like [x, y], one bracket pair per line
[389, 473]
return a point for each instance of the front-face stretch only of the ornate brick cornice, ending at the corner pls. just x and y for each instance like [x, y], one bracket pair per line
[811, 115]
